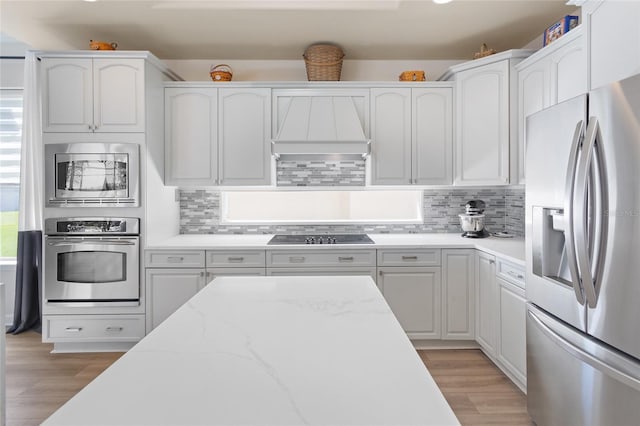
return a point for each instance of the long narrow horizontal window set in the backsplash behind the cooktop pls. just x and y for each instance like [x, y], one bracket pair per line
[308, 207]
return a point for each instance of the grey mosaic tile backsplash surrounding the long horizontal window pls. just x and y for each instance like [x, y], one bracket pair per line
[200, 214]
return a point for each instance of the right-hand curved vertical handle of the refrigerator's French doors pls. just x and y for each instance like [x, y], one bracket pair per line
[581, 202]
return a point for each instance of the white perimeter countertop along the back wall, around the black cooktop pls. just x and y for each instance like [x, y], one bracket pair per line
[511, 249]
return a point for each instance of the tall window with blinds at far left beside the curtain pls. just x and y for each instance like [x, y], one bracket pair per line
[10, 141]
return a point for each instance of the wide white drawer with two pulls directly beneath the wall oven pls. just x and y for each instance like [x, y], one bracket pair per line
[94, 328]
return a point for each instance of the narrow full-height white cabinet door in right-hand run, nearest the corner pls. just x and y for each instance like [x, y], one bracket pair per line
[486, 302]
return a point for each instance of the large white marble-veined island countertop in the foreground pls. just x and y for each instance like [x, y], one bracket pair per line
[268, 351]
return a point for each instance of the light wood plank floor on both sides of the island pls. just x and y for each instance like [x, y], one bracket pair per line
[39, 382]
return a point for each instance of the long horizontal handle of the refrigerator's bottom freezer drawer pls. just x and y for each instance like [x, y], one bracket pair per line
[611, 367]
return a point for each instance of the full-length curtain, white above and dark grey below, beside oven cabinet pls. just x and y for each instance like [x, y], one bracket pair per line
[28, 312]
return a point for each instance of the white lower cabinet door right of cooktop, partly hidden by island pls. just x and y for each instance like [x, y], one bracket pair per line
[414, 297]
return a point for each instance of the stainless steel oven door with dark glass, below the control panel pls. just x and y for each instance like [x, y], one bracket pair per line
[92, 270]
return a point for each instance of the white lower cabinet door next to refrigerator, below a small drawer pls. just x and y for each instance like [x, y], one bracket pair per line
[512, 342]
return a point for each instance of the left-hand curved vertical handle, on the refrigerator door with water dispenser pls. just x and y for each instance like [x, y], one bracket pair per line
[569, 230]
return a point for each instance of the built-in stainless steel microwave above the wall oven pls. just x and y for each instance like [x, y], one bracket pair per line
[92, 174]
